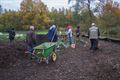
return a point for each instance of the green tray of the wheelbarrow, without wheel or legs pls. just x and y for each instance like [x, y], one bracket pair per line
[44, 50]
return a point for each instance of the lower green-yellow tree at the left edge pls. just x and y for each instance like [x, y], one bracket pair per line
[10, 19]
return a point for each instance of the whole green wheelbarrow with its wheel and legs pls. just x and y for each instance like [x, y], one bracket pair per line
[45, 52]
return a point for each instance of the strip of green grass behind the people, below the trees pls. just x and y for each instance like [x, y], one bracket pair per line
[20, 35]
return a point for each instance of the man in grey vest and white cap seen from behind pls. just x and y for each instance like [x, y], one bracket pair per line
[93, 35]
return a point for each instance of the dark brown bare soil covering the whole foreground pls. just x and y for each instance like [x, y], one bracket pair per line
[72, 64]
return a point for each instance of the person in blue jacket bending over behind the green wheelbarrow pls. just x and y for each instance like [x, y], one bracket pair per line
[52, 34]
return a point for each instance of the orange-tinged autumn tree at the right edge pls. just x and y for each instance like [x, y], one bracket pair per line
[110, 18]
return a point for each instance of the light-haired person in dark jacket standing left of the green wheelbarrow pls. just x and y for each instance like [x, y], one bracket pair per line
[31, 39]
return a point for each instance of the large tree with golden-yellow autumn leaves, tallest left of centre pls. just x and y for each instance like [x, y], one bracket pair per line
[34, 12]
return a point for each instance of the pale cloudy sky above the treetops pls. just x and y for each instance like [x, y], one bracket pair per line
[15, 4]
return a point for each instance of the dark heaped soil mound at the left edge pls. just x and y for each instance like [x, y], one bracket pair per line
[10, 53]
